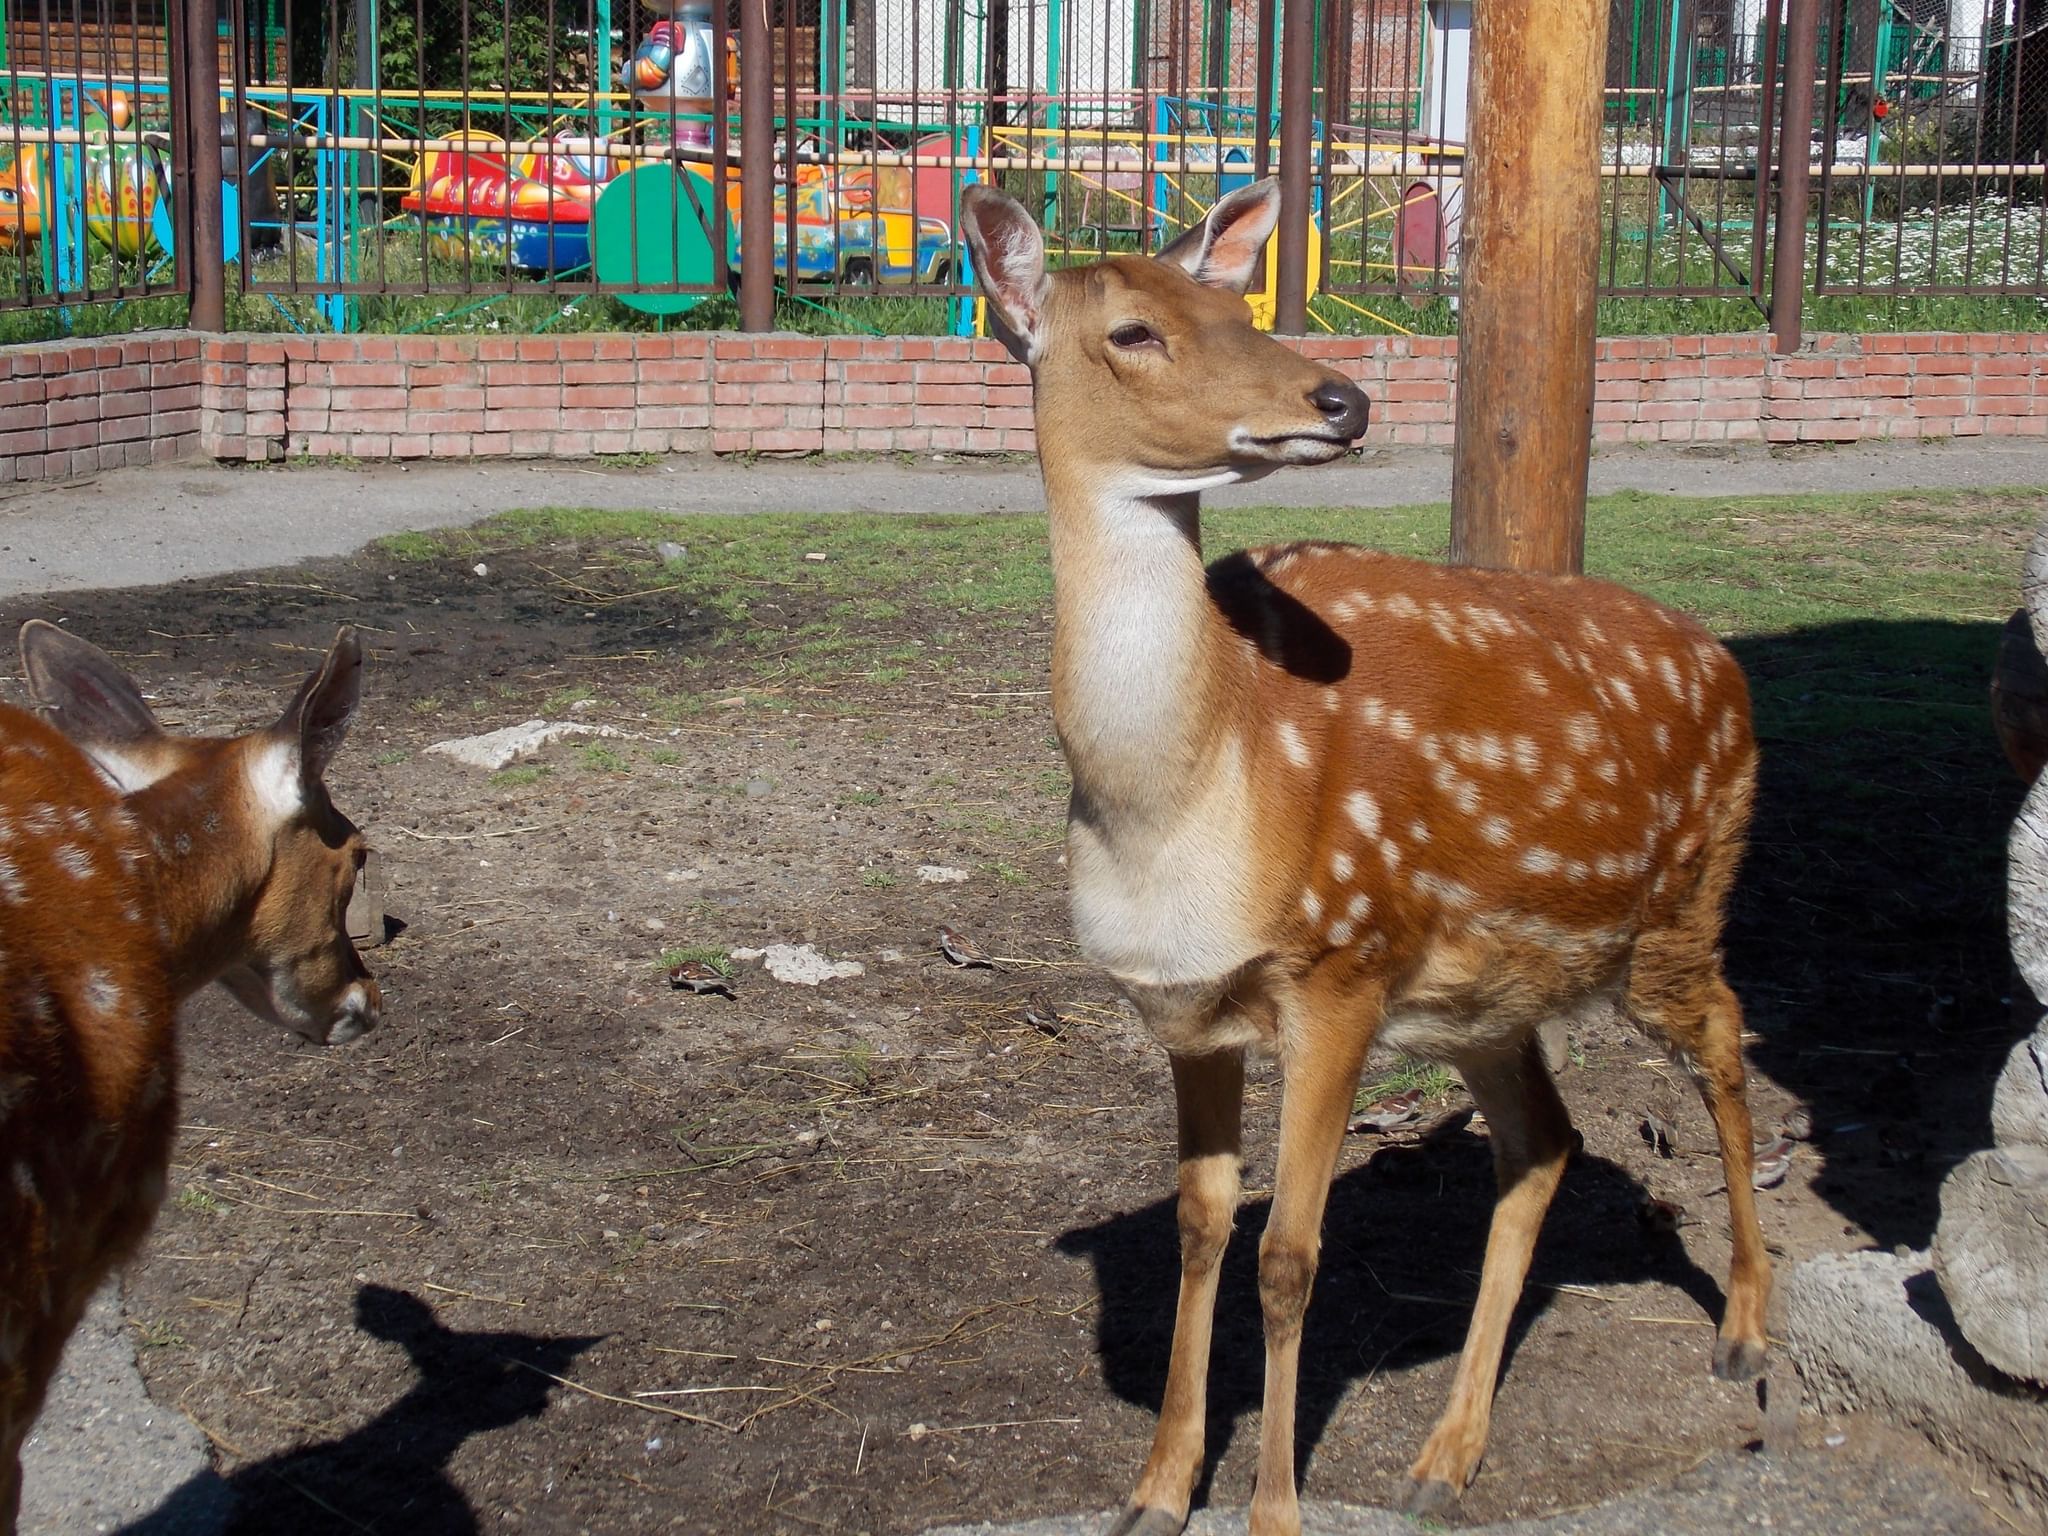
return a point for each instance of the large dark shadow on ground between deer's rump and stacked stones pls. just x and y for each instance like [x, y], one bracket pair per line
[1869, 929]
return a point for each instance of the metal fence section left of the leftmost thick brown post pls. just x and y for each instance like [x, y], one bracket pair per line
[87, 101]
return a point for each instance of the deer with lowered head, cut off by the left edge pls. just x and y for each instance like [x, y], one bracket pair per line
[136, 867]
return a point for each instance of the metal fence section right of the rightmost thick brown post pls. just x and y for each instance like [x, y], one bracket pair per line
[1930, 146]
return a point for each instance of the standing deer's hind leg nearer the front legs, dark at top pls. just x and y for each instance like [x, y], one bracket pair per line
[1531, 1134]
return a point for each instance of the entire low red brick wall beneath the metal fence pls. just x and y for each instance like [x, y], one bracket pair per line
[71, 409]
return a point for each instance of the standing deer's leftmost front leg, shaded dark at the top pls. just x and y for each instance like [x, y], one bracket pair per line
[1209, 1099]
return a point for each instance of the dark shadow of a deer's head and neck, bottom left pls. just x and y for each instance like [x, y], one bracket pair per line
[394, 1471]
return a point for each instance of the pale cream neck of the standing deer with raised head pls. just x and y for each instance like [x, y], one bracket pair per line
[1136, 646]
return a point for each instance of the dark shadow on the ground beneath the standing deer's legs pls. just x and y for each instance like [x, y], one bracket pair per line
[1377, 1306]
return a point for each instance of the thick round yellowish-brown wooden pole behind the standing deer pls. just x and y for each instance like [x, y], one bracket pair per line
[1529, 280]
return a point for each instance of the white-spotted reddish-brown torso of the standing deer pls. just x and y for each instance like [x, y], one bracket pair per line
[1482, 773]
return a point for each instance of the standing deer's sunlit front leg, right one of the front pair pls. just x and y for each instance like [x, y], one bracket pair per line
[1322, 1058]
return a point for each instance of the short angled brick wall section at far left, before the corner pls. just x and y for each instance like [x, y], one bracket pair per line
[73, 409]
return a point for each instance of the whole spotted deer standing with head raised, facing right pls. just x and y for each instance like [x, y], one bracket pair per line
[1326, 798]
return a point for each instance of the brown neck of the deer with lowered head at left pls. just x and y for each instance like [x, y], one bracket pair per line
[202, 869]
